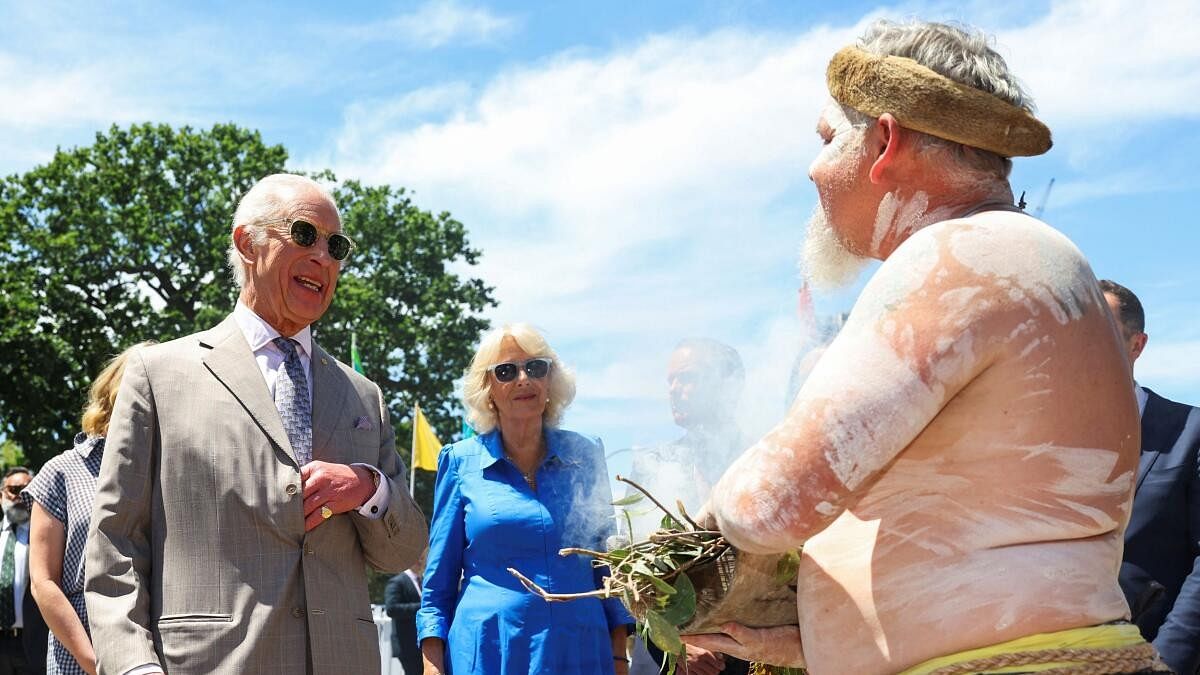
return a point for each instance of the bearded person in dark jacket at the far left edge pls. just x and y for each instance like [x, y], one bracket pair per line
[22, 630]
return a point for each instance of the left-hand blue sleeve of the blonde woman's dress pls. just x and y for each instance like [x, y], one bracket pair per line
[448, 539]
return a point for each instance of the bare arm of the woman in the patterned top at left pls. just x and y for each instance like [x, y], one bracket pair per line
[47, 546]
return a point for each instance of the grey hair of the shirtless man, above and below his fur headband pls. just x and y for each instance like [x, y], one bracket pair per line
[959, 53]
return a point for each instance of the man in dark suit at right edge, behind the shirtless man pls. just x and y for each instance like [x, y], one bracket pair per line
[1161, 571]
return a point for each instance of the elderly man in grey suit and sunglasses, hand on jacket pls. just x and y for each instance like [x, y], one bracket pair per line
[249, 477]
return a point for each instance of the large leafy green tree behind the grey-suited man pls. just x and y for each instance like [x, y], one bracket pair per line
[124, 241]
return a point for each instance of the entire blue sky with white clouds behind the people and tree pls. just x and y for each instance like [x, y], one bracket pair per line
[635, 172]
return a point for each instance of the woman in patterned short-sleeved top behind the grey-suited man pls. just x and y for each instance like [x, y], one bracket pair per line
[62, 494]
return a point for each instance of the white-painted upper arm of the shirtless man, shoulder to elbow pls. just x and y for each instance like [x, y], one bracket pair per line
[922, 330]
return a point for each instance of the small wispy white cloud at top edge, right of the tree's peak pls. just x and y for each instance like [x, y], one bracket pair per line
[437, 25]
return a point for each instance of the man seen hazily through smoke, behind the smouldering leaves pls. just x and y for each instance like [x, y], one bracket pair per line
[705, 383]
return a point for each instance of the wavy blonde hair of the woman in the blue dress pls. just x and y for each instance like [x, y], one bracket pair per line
[477, 384]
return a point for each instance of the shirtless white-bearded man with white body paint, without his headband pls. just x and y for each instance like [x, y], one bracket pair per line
[959, 465]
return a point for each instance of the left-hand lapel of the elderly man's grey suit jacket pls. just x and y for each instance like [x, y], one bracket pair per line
[232, 362]
